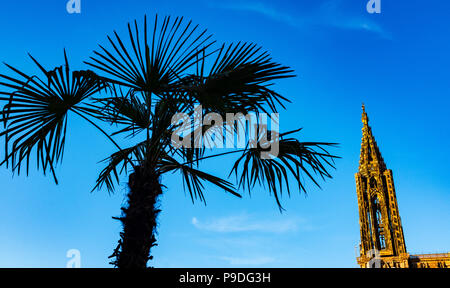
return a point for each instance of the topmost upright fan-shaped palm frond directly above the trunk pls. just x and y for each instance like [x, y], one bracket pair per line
[150, 63]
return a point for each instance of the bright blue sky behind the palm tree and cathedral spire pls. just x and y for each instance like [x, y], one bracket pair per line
[396, 62]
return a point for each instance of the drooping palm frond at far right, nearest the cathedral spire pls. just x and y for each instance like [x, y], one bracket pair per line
[294, 159]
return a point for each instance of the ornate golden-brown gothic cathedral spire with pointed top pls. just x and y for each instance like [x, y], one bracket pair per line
[379, 219]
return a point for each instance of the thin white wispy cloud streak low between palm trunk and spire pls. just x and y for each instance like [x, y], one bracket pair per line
[245, 223]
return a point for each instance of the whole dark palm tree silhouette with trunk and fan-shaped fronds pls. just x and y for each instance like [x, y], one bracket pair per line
[139, 87]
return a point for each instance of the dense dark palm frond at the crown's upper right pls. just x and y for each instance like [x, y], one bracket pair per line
[238, 81]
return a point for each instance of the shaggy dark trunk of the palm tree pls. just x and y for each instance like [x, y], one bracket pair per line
[138, 220]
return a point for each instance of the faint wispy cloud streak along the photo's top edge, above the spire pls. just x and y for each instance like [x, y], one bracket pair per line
[327, 14]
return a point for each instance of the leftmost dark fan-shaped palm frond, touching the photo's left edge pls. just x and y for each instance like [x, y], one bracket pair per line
[35, 112]
